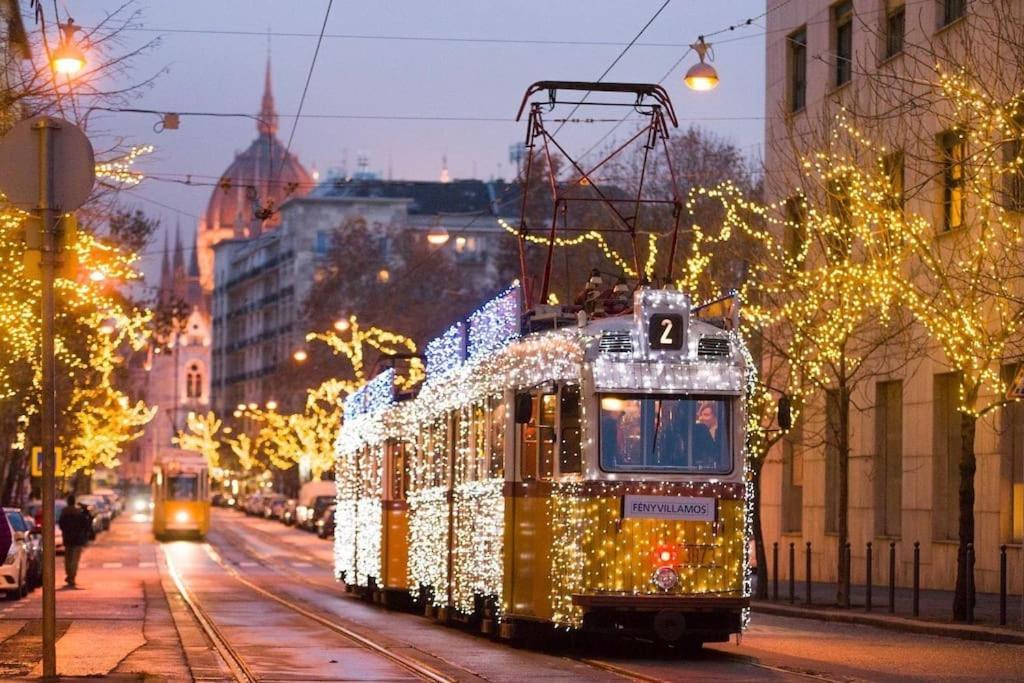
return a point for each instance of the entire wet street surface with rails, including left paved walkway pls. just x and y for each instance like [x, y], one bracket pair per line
[267, 595]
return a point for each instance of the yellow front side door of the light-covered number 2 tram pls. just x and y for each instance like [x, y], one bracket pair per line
[542, 416]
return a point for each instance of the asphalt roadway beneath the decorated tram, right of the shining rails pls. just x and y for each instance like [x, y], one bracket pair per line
[775, 648]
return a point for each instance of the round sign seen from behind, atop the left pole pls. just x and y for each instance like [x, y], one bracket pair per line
[73, 167]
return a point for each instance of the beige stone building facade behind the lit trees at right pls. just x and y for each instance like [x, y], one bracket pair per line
[904, 468]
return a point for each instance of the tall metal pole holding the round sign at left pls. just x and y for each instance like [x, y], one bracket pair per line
[49, 219]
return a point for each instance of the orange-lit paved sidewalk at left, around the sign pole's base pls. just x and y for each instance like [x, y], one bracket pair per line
[117, 626]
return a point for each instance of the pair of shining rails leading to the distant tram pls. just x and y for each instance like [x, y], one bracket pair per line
[241, 671]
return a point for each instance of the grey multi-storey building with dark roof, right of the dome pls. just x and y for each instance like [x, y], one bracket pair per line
[263, 284]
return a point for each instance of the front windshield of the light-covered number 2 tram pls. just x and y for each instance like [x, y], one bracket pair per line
[680, 436]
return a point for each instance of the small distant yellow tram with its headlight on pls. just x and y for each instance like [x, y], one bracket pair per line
[181, 497]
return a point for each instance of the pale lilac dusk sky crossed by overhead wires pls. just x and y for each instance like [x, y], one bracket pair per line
[211, 57]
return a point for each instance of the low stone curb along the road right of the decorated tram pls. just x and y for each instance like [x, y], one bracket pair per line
[963, 631]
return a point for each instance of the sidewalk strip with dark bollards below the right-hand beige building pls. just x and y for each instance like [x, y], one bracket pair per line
[935, 611]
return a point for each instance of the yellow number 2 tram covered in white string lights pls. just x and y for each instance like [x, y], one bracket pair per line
[591, 476]
